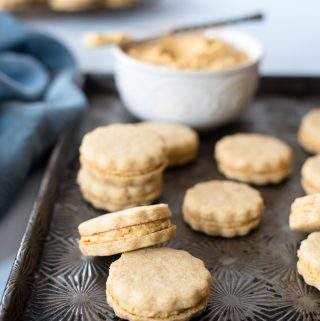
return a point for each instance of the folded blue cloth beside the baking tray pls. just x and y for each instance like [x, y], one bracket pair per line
[38, 100]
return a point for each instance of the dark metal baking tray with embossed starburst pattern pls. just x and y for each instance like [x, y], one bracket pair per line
[255, 276]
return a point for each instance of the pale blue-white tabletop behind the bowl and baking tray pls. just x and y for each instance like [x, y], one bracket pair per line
[290, 31]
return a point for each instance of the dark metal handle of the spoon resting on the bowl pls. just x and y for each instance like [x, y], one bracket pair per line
[224, 22]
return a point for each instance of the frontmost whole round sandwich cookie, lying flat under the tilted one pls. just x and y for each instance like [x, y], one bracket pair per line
[158, 284]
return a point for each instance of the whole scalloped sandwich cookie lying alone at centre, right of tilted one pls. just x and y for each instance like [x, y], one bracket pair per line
[222, 208]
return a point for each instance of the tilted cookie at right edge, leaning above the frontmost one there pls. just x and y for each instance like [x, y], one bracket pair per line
[305, 214]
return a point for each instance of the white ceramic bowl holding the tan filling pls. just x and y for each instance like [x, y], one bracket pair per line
[199, 98]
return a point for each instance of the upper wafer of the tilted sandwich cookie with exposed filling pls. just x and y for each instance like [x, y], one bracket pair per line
[125, 218]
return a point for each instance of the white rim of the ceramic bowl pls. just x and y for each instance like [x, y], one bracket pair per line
[148, 67]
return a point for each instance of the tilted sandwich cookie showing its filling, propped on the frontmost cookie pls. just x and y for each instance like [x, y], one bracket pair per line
[126, 230]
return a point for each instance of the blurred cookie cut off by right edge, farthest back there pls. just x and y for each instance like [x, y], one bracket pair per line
[309, 131]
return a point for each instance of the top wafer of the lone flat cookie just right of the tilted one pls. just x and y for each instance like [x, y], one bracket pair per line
[223, 201]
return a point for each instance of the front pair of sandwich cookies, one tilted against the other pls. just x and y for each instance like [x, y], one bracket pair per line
[145, 283]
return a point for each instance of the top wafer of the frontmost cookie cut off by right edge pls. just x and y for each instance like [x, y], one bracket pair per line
[309, 252]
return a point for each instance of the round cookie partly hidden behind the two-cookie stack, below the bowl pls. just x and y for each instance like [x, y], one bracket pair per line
[181, 141]
